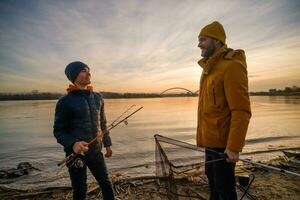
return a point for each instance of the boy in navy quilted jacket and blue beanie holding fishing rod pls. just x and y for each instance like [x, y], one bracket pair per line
[79, 117]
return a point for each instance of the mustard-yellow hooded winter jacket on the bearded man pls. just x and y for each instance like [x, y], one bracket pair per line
[224, 106]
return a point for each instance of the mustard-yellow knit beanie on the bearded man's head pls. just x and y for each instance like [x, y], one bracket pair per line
[214, 30]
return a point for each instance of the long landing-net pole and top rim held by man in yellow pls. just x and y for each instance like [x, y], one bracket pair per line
[196, 148]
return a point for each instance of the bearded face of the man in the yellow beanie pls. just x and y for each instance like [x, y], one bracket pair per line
[207, 46]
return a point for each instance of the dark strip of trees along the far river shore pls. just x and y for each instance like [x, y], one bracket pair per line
[36, 95]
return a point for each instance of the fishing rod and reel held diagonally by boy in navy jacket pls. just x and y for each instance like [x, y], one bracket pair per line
[72, 157]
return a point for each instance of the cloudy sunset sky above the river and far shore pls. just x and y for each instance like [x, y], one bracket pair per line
[142, 46]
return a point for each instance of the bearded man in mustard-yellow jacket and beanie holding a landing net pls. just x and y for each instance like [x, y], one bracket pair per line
[223, 110]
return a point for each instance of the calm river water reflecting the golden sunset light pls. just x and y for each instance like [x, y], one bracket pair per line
[26, 134]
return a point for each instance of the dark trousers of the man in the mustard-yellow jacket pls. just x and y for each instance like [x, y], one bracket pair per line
[220, 175]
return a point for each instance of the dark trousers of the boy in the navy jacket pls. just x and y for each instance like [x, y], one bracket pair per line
[94, 160]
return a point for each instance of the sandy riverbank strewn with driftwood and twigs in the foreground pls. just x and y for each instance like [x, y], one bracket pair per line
[266, 185]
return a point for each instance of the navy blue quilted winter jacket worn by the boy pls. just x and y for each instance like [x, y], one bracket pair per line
[79, 115]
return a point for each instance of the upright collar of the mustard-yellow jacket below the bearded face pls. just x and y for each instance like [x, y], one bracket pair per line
[208, 64]
